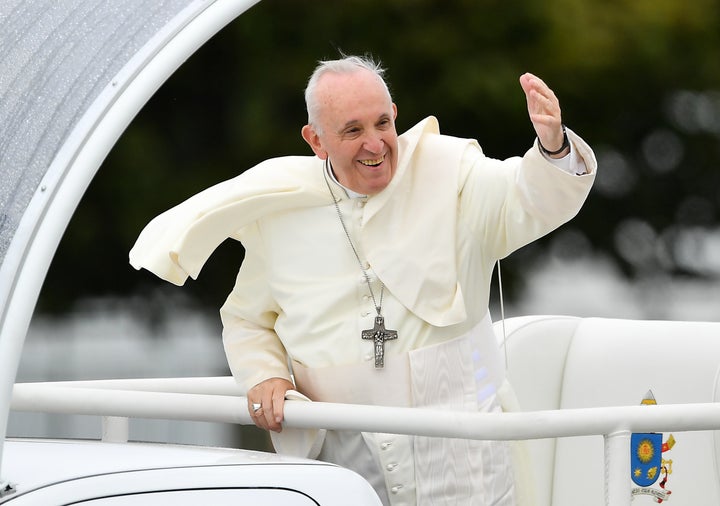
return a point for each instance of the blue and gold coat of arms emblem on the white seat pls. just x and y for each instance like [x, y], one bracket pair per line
[647, 465]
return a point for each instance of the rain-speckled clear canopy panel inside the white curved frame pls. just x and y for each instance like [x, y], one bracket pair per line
[56, 57]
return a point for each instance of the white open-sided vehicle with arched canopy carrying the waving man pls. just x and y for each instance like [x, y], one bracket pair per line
[586, 430]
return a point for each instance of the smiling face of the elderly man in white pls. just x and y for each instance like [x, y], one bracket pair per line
[356, 130]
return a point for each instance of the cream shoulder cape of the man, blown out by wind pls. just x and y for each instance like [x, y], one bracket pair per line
[422, 196]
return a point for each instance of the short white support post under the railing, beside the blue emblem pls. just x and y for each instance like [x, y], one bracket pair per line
[617, 469]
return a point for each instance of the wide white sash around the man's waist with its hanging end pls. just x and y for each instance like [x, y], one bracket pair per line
[461, 374]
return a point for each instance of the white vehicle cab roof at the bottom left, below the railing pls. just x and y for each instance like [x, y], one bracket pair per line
[68, 472]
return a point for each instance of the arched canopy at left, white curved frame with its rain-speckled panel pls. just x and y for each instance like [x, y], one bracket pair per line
[73, 74]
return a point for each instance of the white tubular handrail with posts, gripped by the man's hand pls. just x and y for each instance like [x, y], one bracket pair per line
[216, 400]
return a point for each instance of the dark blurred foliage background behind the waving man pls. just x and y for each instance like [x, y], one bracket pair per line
[638, 79]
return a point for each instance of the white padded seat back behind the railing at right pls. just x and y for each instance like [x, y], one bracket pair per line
[557, 362]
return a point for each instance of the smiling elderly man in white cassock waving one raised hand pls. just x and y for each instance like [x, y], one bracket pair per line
[367, 273]
